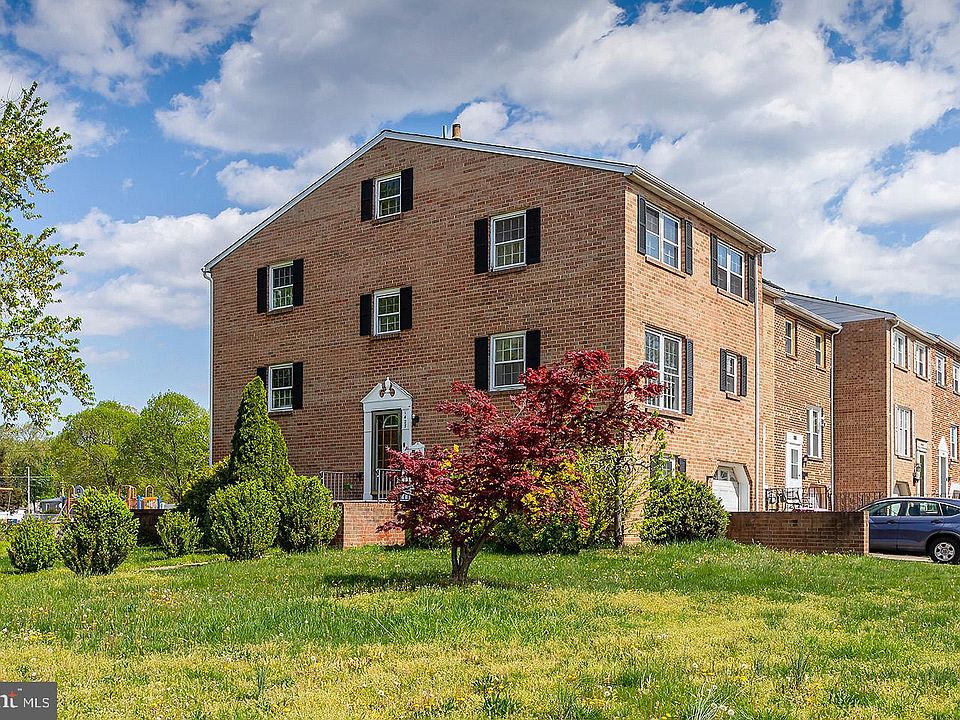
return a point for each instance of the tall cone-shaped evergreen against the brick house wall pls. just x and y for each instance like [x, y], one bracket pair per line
[259, 451]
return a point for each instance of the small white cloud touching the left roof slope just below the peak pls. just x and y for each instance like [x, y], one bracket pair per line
[253, 185]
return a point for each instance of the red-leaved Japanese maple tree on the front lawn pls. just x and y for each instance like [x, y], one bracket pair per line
[519, 461]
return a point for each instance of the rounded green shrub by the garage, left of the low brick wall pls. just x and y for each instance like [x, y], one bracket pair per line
[678, 509]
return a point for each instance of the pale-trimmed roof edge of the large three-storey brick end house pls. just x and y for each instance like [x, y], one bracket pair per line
[638, 175]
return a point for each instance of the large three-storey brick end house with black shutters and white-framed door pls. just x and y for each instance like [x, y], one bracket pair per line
[421, 260]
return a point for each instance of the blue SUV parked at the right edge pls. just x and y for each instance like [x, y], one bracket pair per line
[916, 525]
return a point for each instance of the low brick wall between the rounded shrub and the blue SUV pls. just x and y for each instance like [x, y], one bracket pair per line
[812, 532]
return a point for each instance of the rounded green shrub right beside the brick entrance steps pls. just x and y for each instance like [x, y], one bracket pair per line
[308, 517]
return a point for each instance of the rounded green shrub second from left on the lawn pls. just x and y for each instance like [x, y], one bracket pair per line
[100, 534]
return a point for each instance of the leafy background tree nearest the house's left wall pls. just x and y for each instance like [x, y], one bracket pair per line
[168, 443]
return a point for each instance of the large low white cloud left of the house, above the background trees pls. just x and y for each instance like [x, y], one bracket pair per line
[146, 272]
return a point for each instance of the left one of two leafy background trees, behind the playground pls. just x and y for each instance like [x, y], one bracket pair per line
[87, 450]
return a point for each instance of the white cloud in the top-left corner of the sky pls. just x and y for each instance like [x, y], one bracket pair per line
[111, 46]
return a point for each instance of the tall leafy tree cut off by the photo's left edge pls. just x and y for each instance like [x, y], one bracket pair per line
[39, 352]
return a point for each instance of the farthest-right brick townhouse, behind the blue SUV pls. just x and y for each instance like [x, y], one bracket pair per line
[897, 405]
